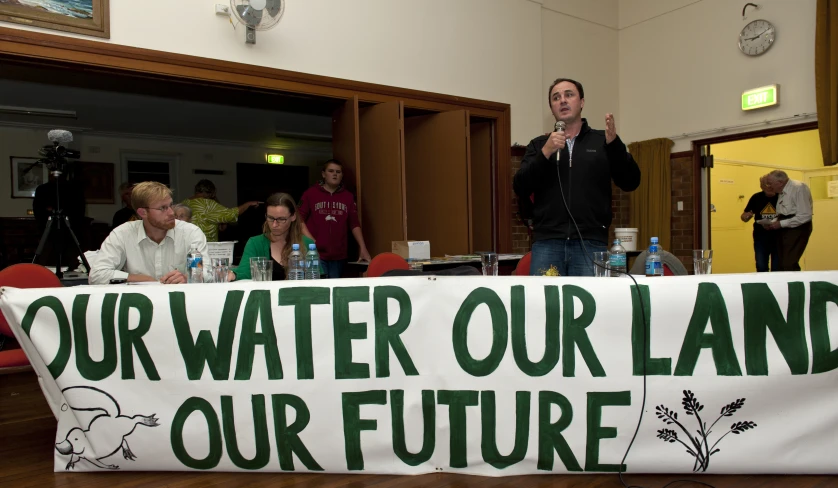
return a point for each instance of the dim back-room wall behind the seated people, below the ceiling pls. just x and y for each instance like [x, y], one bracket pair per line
[190, 156]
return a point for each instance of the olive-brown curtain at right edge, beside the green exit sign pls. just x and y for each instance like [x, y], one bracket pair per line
[826, 78]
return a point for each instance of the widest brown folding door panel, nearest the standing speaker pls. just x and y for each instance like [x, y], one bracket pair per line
[437, 184]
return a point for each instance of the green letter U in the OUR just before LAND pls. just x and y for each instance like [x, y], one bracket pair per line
[552, 327]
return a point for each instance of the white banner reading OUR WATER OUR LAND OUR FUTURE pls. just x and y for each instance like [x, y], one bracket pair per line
[489, 376]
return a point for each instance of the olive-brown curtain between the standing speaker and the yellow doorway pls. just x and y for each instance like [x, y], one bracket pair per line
[651, 204]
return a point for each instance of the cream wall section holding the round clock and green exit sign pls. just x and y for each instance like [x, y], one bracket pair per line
[681, 70]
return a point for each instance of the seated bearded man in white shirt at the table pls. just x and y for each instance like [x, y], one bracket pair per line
[151, 249]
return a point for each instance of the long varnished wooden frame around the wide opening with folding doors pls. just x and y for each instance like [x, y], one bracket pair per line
[57, 51]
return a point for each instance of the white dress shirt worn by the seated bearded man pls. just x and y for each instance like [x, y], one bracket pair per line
[129, 250]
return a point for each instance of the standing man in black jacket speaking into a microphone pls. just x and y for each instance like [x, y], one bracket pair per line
[569, 173]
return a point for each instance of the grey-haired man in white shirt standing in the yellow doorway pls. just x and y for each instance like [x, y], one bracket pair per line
[794, 219]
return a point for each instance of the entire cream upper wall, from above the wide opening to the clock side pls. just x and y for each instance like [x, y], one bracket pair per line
[664, 67]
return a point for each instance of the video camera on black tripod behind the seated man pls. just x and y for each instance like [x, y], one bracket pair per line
[55, 158]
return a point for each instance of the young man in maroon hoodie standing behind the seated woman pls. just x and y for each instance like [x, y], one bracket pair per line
[330, 213]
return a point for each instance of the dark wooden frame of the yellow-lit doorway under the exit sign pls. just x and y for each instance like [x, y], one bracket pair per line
[698, 173]
